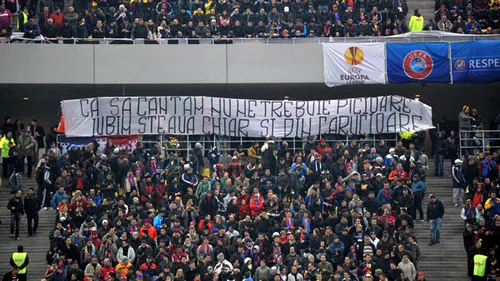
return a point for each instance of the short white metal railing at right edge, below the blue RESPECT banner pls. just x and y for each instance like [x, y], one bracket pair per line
[471, 142]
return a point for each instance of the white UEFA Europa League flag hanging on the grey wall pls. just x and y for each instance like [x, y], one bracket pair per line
[354, 63]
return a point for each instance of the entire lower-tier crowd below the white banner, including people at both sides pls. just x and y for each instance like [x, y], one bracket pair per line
[331, 211]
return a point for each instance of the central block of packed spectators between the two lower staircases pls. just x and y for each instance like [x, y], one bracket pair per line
[306, 214]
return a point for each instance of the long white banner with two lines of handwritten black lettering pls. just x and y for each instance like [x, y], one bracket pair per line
[243, 117]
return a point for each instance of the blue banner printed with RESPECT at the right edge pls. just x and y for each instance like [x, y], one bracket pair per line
[475, 61]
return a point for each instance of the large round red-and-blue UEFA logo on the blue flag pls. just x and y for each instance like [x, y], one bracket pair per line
[418, 65]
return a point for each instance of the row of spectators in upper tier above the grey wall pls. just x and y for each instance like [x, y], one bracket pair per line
[151, 19]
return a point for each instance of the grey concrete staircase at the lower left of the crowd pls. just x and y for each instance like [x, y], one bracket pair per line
[36, 247]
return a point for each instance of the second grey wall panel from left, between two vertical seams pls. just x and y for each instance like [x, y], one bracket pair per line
[165, 64]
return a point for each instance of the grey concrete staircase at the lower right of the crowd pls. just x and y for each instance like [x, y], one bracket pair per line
[447, 260]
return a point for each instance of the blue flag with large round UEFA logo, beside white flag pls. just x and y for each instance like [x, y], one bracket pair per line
[418, 62]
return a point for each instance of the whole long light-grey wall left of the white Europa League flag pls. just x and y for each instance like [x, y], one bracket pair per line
[160, 64]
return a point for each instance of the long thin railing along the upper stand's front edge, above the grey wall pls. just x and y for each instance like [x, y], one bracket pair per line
[423, 36]
